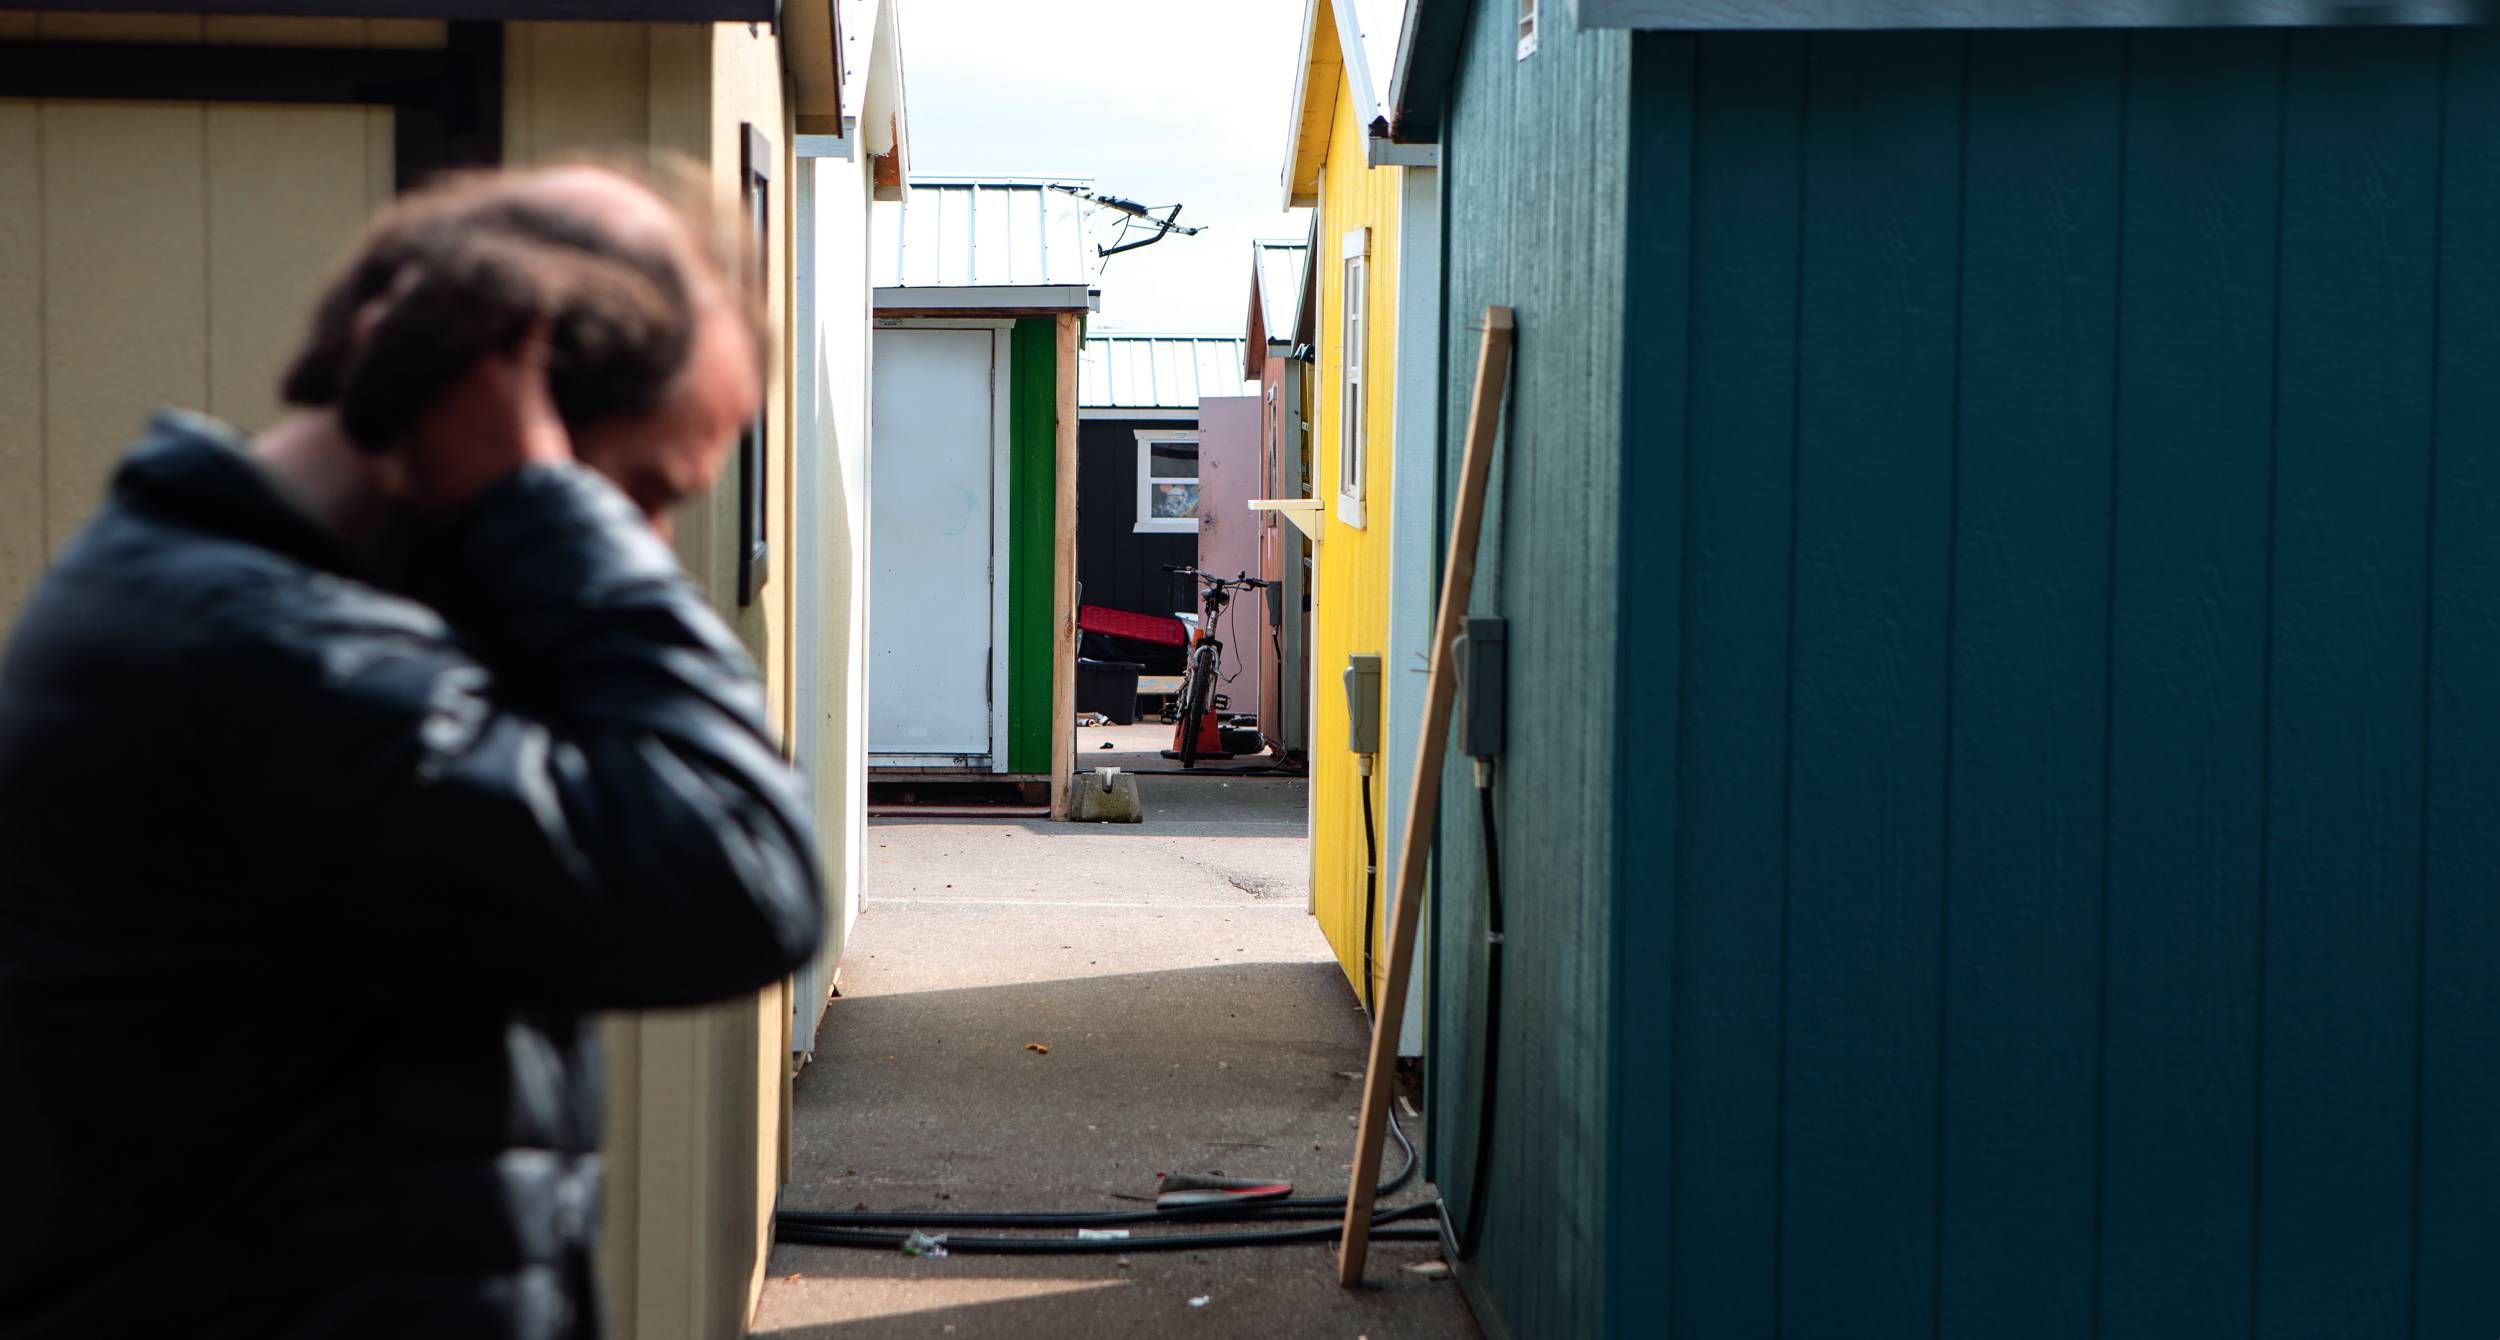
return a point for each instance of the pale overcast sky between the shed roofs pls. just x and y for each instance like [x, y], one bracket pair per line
[1159, 101]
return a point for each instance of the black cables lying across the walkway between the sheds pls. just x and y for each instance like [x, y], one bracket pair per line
[894, 1229]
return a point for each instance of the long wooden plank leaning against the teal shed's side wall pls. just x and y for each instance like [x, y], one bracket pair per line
[1424, 811]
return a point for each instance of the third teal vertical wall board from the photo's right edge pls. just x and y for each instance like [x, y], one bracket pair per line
[2196, 419]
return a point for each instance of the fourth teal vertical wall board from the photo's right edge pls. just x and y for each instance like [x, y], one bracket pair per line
[2029, 689]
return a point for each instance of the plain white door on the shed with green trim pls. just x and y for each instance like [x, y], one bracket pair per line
[936, 451]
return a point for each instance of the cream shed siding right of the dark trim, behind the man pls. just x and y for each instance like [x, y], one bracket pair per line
[696, 1096]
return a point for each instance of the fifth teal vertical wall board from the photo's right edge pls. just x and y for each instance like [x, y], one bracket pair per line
[1871, 681]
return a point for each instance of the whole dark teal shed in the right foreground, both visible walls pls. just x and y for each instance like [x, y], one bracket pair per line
[1999, 526]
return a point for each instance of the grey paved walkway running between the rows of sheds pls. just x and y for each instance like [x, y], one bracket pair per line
[1194, 1021]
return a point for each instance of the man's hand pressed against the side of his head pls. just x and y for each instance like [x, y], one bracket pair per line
[486, 424]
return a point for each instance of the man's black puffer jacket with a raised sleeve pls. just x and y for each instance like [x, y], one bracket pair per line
[306, 894]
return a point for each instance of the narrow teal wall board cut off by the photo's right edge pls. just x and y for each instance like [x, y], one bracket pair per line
[2459, 1159]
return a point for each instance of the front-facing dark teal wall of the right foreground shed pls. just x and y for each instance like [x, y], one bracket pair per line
[2096, 731]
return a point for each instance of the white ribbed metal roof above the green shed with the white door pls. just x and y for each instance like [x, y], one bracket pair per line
[984, 244]
